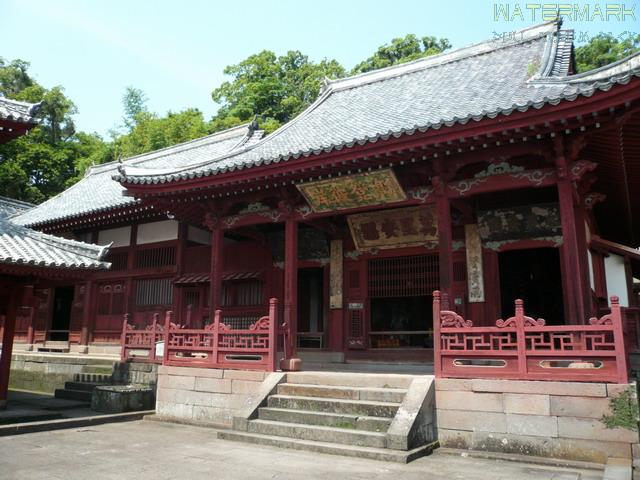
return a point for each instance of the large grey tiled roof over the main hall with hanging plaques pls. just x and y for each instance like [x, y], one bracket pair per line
[485, 80]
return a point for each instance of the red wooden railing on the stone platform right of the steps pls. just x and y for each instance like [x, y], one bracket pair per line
[524, 348]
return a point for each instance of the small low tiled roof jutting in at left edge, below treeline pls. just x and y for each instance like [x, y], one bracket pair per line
[20, 245]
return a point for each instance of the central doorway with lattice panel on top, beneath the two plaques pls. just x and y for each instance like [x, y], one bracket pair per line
[400, 298]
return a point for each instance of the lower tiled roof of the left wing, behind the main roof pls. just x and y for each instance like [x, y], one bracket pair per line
[97, 192]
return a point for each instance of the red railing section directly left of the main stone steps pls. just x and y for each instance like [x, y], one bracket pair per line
[220, 346]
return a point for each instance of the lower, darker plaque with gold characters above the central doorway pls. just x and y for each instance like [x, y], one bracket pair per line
[400, 227]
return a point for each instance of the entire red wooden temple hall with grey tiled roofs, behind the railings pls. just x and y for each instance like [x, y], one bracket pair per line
[491, 172]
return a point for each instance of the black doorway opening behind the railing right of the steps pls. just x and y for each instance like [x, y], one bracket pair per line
[534, 276]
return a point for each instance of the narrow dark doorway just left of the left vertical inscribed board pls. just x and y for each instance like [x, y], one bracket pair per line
[310, 307]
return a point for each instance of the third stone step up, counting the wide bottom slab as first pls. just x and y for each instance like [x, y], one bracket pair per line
[357, 422]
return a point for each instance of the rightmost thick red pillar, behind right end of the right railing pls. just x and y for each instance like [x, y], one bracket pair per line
[572, 275]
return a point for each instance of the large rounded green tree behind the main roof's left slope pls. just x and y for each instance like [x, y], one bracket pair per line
[274, 88]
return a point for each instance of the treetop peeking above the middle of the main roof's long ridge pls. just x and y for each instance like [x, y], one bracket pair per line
[402, 50]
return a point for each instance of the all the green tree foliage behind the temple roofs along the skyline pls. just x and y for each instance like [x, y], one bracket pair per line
[272, 88]
